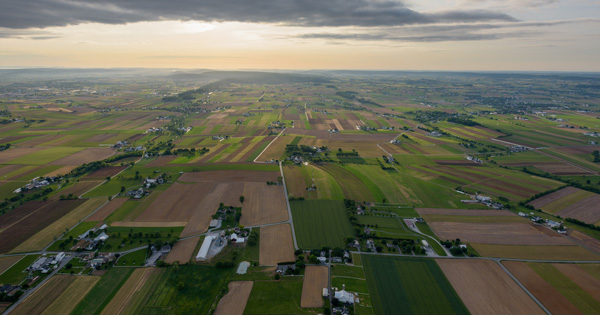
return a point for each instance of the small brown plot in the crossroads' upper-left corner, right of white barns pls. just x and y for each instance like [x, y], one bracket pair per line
[276, 244]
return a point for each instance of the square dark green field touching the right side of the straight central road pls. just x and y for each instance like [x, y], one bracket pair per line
[320, 223]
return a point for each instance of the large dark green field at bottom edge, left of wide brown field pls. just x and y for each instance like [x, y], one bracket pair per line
[409, 286]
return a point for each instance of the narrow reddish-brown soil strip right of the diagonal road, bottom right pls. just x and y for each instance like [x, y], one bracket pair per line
[555, 302]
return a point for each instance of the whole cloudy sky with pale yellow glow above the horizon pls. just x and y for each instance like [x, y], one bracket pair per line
[455, 35]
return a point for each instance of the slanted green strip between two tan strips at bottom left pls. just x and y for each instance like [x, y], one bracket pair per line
[102, 292]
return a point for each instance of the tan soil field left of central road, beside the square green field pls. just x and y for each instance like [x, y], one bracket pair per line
[263, 204]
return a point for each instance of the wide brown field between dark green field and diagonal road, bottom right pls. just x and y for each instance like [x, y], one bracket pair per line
[485, 289]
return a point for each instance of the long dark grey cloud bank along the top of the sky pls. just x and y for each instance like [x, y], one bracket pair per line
[21, 14]
